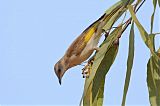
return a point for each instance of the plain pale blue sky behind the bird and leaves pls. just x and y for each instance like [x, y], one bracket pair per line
[34, 35]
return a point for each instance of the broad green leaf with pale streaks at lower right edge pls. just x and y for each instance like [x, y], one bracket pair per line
[153, 81]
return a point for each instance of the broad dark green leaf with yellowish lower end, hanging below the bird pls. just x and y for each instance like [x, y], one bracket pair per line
[96, 89]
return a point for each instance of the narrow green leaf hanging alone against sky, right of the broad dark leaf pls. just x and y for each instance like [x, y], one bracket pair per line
[129, 63]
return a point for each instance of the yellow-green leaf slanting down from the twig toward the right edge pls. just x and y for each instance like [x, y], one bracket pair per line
[144, 34]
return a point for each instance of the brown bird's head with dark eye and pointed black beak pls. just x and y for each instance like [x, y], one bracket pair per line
[60, 69]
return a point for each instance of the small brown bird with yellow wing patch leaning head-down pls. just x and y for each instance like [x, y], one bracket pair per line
[81, 48]
